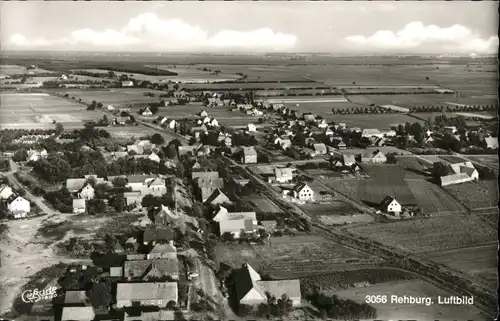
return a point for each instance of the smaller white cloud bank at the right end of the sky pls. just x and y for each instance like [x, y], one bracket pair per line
[416, 35]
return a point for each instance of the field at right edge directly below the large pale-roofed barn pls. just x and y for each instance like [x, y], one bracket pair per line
[476, 195]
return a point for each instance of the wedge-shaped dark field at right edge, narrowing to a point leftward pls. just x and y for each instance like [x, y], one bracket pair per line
[479, 261]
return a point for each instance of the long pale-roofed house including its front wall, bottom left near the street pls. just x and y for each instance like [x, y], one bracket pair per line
[146, 294]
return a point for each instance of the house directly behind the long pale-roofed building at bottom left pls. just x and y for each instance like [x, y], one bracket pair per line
[151, 269]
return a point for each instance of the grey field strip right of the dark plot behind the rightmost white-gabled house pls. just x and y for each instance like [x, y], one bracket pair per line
[433, 199]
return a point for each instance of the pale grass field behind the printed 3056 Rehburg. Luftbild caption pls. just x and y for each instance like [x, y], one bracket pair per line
[415, 288]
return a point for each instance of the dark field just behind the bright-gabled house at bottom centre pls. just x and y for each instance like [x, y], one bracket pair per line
[292, 256]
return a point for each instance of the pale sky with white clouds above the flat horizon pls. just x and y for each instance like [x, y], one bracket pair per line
[375, 27]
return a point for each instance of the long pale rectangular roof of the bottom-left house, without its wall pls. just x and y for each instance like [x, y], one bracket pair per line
[147, 291]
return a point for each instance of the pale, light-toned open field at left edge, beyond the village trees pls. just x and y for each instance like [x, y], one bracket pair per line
[15, 112]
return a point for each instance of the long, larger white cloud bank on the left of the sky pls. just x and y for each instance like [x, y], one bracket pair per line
[148, 31]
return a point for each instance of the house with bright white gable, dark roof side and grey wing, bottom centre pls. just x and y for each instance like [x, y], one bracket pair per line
[252, 290]
